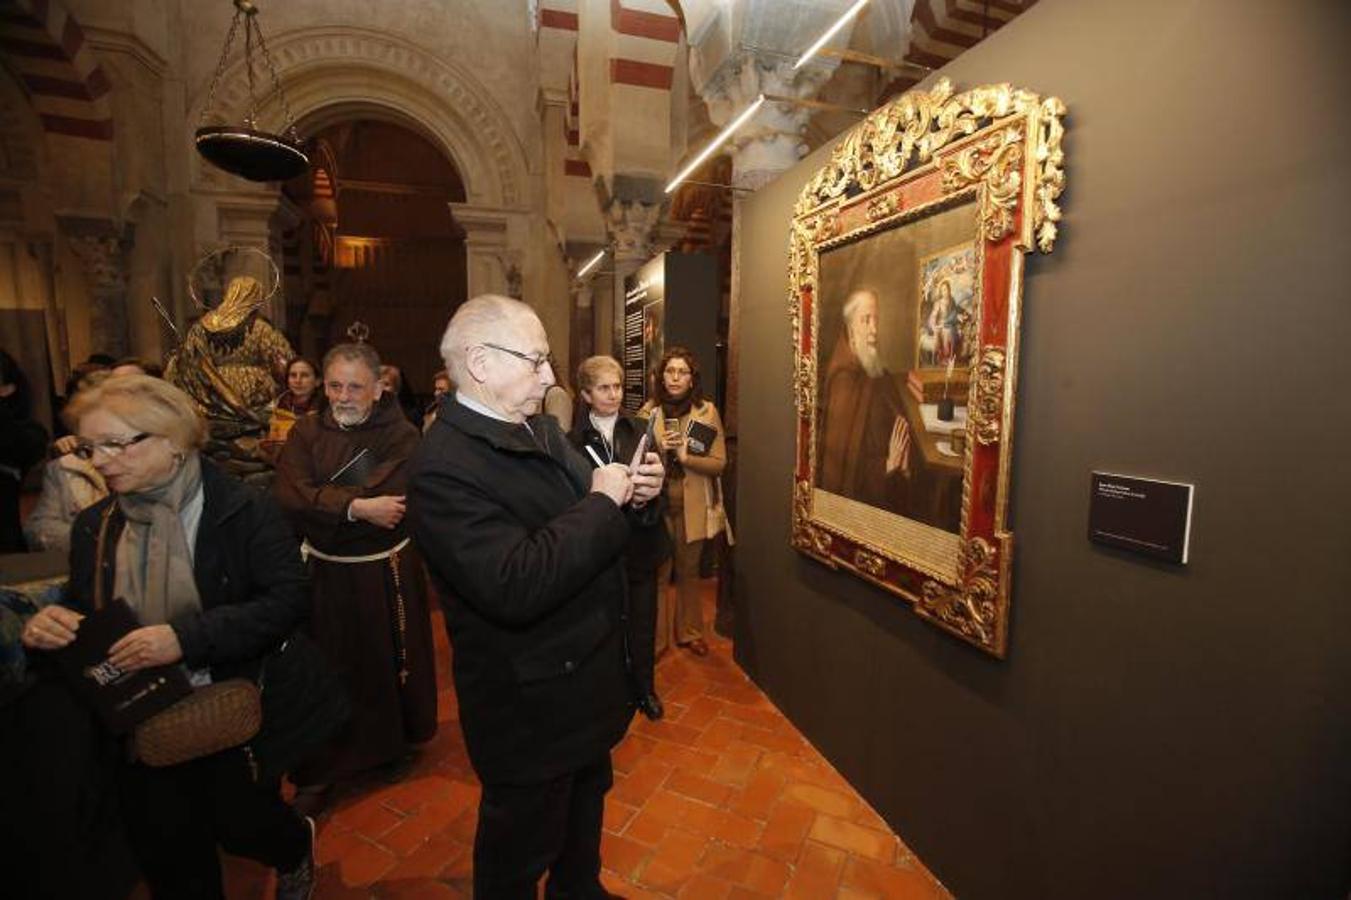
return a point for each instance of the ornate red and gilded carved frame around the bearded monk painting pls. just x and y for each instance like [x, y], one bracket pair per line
[925, 152]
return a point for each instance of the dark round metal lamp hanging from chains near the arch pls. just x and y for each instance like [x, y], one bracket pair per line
[245, 149]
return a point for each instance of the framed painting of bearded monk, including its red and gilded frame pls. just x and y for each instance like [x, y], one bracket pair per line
[907, 253]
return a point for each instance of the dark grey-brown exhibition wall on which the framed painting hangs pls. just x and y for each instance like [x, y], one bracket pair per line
[1156, 730]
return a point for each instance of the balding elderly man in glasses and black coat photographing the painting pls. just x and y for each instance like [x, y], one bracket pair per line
[529, 541]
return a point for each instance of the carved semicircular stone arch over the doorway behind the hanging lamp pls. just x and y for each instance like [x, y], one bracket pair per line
[333, 74]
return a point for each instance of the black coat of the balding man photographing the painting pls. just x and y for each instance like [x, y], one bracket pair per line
[530, 563]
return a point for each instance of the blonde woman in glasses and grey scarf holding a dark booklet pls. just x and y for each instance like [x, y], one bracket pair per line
[214, 576]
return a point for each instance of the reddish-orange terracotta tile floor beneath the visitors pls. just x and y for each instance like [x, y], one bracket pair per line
[723, 799]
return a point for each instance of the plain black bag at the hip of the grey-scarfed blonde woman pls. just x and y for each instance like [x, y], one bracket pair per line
[303, 706]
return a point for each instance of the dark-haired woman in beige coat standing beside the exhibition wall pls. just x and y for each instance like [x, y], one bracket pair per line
[694, 511]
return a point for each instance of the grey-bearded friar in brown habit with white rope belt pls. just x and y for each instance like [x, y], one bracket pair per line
[341, 480]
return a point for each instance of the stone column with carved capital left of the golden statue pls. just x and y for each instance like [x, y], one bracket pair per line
[102, 249]
